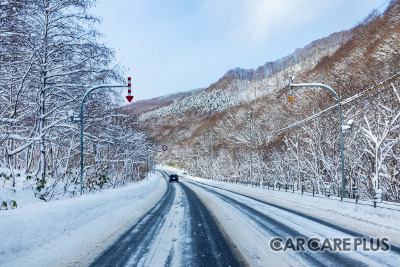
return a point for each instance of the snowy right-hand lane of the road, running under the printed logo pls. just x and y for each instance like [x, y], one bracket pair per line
[251, 225]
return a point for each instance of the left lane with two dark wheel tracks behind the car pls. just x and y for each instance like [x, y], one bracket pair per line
[178, 231]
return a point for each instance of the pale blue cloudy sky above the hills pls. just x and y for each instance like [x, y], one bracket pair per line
[178, 45]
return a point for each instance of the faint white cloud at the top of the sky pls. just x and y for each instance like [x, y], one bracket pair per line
[256, 20]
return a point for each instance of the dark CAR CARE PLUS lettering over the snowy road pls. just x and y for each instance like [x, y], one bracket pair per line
[344, 244]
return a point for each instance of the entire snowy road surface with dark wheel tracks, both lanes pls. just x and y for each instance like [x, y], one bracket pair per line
[196, 224]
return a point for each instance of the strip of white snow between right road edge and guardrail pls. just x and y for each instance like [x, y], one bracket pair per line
[364, 218]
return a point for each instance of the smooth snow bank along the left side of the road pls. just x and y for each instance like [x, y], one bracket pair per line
[54, 233]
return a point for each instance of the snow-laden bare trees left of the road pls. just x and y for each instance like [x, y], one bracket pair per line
[50, 57]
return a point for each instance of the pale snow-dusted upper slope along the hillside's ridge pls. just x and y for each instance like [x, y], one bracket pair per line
[239, 85]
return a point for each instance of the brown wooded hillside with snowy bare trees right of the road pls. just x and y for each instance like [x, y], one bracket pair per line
[244, 128]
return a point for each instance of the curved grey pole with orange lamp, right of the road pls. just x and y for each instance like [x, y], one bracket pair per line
[291, 97]
